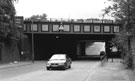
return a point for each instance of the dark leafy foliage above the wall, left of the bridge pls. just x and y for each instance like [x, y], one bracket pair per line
[8, 30]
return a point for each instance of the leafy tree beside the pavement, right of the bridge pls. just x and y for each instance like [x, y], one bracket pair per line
[124, 12]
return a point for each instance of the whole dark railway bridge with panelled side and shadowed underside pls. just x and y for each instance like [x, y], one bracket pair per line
[67, 36]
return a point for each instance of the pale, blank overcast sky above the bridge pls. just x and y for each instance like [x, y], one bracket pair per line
[68, 9]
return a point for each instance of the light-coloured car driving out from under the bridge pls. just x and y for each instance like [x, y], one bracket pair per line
[62, 61]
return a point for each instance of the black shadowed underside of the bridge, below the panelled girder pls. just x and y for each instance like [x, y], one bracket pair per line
[73, 44]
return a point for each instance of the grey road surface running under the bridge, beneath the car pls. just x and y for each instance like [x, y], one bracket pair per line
[80, 71]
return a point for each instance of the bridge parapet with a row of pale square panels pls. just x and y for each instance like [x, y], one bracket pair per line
[71, 26]
